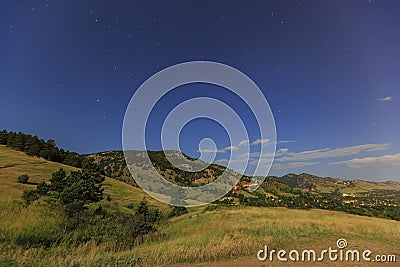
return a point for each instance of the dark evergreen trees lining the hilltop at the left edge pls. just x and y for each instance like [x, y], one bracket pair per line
[33, 146]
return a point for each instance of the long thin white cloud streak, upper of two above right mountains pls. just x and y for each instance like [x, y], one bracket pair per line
[331, 153]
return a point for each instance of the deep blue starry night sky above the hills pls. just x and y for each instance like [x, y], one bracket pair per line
[329, 69]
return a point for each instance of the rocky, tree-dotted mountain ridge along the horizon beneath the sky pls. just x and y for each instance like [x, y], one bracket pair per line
[114, 165]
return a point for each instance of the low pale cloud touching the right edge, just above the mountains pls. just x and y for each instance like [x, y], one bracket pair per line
[387, 160]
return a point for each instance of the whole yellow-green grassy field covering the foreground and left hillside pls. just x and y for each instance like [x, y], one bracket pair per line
[227, 236]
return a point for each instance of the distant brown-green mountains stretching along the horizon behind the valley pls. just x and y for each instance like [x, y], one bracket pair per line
[114, 166]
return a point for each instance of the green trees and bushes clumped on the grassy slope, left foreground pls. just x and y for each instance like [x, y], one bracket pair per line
[74, 195]
